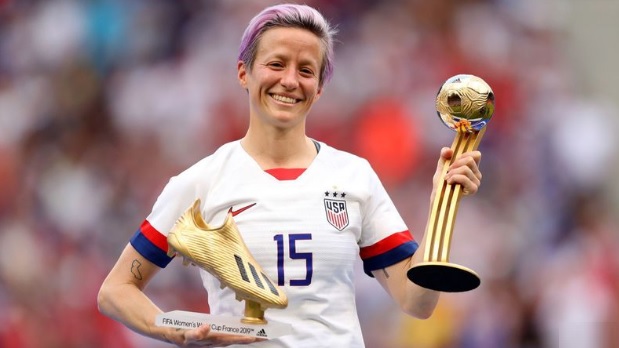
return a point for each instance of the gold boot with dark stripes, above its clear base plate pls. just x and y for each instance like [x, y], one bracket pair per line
[222, 252]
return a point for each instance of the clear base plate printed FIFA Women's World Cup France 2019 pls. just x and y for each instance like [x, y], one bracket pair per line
[223, 324]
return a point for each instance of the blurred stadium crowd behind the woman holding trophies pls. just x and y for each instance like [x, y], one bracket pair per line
[101, 101]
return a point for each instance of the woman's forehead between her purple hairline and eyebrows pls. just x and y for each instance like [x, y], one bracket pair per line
[290, 42]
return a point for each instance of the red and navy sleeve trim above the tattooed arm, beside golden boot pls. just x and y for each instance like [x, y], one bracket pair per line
[151, 244]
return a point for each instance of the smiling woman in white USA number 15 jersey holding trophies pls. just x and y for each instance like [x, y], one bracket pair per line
[305, 210]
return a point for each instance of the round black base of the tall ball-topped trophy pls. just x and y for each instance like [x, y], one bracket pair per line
[443, 276]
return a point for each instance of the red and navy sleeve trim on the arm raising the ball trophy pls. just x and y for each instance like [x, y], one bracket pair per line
[388, 251]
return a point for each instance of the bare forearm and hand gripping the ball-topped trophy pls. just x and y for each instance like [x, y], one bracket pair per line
[413, 299]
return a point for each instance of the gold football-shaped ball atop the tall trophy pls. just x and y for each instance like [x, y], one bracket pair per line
[465, 103]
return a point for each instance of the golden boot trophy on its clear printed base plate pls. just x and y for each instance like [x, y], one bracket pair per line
[222, 252]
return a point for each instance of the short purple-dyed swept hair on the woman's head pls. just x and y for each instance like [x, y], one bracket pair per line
[289, 16]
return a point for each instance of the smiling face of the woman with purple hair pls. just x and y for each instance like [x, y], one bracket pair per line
[283, 82]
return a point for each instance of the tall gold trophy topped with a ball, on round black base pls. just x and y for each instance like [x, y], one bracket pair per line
[465, 104]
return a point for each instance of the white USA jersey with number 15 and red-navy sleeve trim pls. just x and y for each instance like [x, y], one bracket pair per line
[306, 233]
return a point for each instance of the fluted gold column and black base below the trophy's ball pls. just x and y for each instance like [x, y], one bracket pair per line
[436, 272]
